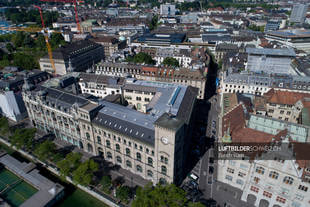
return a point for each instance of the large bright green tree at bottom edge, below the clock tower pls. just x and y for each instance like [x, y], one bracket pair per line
[161, 195]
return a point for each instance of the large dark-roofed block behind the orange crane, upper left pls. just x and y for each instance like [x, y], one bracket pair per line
[74, 57]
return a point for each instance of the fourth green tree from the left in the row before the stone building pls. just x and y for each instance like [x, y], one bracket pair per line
[69, 164]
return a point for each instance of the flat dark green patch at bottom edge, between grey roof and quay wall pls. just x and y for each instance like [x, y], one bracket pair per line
[80, 198]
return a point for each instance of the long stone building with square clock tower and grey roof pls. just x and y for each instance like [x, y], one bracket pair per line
[153, 145]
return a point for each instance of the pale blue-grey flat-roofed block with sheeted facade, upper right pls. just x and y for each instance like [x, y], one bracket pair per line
[265, 60]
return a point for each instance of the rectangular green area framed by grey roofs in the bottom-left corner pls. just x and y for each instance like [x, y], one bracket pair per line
[13, 189]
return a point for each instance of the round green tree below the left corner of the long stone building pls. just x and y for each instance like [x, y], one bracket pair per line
[23, 138]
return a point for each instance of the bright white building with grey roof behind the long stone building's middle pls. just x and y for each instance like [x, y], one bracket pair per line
[100, 85]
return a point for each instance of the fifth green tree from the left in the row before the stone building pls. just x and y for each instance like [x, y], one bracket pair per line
[83, 175]
